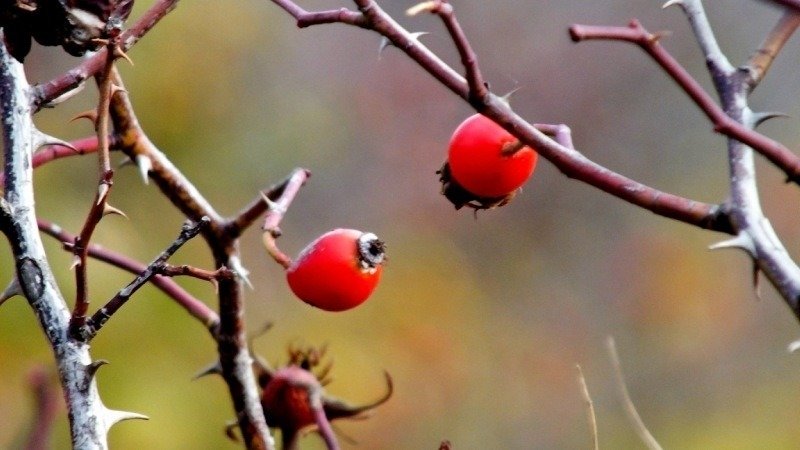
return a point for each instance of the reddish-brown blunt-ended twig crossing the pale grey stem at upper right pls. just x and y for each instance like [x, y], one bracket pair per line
[774, 151]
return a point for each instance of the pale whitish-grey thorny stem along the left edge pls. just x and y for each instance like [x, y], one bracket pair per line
[90, 420]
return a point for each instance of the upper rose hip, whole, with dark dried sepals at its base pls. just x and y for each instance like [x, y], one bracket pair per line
[486, 165]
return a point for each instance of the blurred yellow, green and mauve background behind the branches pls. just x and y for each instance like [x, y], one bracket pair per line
[480, 321]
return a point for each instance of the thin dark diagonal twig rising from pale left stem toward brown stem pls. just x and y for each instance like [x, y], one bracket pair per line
[98, 319]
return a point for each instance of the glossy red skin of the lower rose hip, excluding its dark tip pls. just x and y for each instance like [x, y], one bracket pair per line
[330, 273]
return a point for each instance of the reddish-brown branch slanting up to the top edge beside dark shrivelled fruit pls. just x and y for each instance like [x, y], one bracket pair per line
[46, 92]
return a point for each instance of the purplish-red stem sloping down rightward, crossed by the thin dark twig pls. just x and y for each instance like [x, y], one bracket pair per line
[192, 305]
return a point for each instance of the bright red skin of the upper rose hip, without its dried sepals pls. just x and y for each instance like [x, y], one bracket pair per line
[477, 162]
